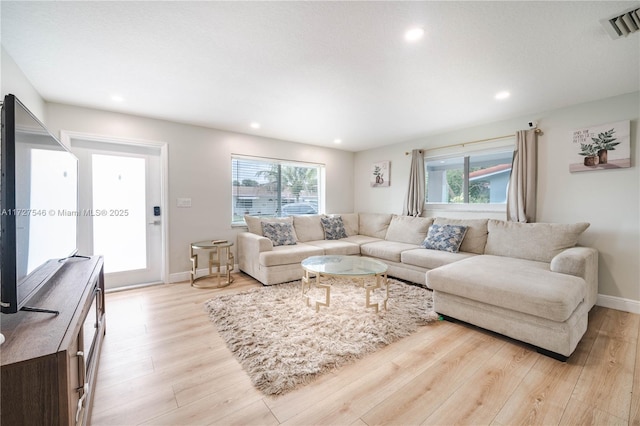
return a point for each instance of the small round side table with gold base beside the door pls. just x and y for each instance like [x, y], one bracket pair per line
[220, 257]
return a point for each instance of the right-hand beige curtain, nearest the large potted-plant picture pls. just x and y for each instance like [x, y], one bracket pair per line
[521, 197]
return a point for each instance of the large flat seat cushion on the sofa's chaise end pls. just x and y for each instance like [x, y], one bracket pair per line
[516, 284]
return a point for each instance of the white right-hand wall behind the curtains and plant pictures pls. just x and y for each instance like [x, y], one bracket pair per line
[608, 199]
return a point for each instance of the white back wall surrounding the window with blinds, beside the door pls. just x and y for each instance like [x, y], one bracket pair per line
[200, 169]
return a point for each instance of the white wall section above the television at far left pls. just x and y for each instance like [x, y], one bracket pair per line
[13, 81]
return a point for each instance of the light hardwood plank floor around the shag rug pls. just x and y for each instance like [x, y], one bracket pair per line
[163, 362]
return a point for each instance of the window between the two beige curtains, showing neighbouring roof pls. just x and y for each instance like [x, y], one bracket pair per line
[477, 178]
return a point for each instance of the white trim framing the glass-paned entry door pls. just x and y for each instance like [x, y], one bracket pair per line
[66, 136]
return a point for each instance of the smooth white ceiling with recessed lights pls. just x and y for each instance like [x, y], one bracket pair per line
[313, 72]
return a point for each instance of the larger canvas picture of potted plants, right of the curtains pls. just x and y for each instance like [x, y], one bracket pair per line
[601, 147]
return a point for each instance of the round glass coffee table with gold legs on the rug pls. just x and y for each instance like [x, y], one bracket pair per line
[318, 267]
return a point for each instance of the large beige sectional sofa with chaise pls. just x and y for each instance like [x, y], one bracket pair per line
[530, 282]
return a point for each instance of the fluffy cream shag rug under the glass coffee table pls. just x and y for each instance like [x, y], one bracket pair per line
[283, 343]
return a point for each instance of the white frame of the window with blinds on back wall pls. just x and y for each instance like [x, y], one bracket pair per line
[268, 161]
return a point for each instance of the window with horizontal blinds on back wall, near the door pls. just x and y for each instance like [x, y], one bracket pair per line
[266, 187]
